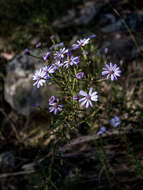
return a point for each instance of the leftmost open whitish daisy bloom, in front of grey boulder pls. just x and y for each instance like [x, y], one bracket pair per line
[39, 77]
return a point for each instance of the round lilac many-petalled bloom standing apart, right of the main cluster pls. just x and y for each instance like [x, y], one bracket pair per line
[112, 71]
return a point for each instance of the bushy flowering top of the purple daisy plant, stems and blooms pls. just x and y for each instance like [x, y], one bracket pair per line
[78, 77]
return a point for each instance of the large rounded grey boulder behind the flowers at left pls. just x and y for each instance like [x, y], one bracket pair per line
[19, 90]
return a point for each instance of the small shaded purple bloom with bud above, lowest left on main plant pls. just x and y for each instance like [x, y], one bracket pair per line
[54, 106]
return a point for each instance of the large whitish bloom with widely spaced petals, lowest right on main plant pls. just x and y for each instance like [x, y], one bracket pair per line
[88, 98]
